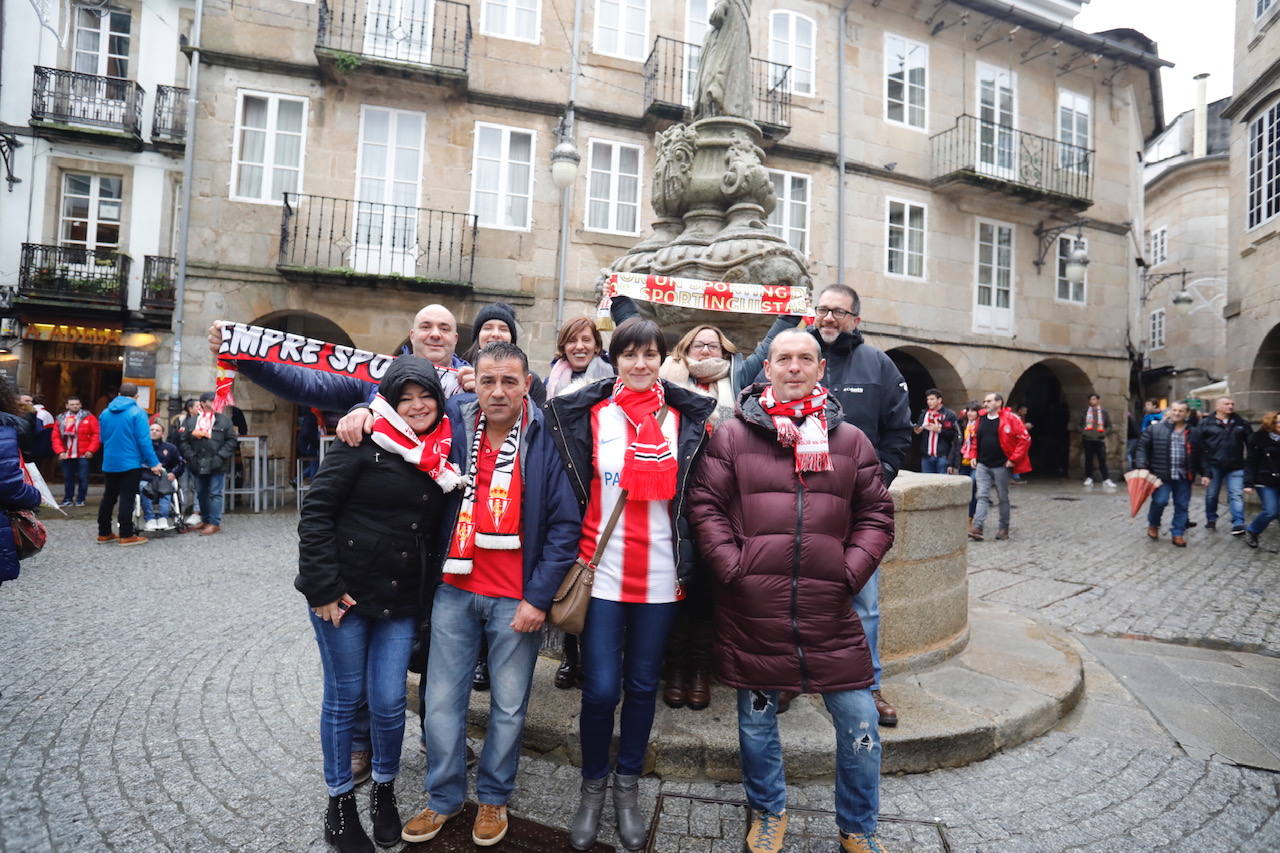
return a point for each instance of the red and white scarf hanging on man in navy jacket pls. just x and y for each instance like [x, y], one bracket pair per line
[497, 528]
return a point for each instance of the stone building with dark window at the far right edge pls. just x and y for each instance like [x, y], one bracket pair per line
[1254, 298]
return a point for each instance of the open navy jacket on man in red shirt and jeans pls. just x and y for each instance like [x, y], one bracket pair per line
[551, 523]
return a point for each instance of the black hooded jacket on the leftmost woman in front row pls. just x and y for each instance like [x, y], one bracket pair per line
[371, 524]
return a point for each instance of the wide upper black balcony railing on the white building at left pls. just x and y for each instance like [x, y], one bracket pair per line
[88, 99]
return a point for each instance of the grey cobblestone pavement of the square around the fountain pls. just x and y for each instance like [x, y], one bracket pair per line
[167, 699]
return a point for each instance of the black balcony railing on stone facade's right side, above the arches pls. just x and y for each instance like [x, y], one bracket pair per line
[1011, 161]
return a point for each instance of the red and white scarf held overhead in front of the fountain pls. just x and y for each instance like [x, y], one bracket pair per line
[711, 297]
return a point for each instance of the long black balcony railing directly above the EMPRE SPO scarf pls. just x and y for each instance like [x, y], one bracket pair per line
[359, 240]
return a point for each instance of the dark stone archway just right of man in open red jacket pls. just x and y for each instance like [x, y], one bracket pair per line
[1052, 391]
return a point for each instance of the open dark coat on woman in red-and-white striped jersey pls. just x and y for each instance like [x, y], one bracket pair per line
[570, 418]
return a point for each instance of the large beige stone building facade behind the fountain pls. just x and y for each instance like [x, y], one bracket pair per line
[958, 140]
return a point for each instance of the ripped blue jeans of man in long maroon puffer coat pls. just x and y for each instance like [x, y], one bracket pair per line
[858, 755]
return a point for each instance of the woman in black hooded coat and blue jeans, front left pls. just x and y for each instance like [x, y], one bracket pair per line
[371, 545]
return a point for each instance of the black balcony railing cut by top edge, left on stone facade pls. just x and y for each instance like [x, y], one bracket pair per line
[427, 34]
